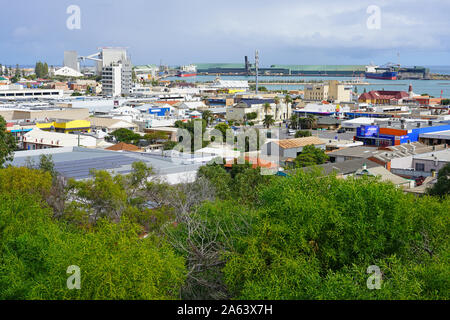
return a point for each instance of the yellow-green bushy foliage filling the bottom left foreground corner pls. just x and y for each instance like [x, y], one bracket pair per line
[115, 263]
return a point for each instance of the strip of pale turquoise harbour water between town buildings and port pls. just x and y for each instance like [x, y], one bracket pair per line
[431, 87]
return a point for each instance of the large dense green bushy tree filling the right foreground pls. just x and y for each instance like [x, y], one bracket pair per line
[316, 236]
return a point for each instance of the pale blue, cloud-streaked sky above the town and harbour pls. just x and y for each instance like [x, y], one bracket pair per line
[177, 32]
